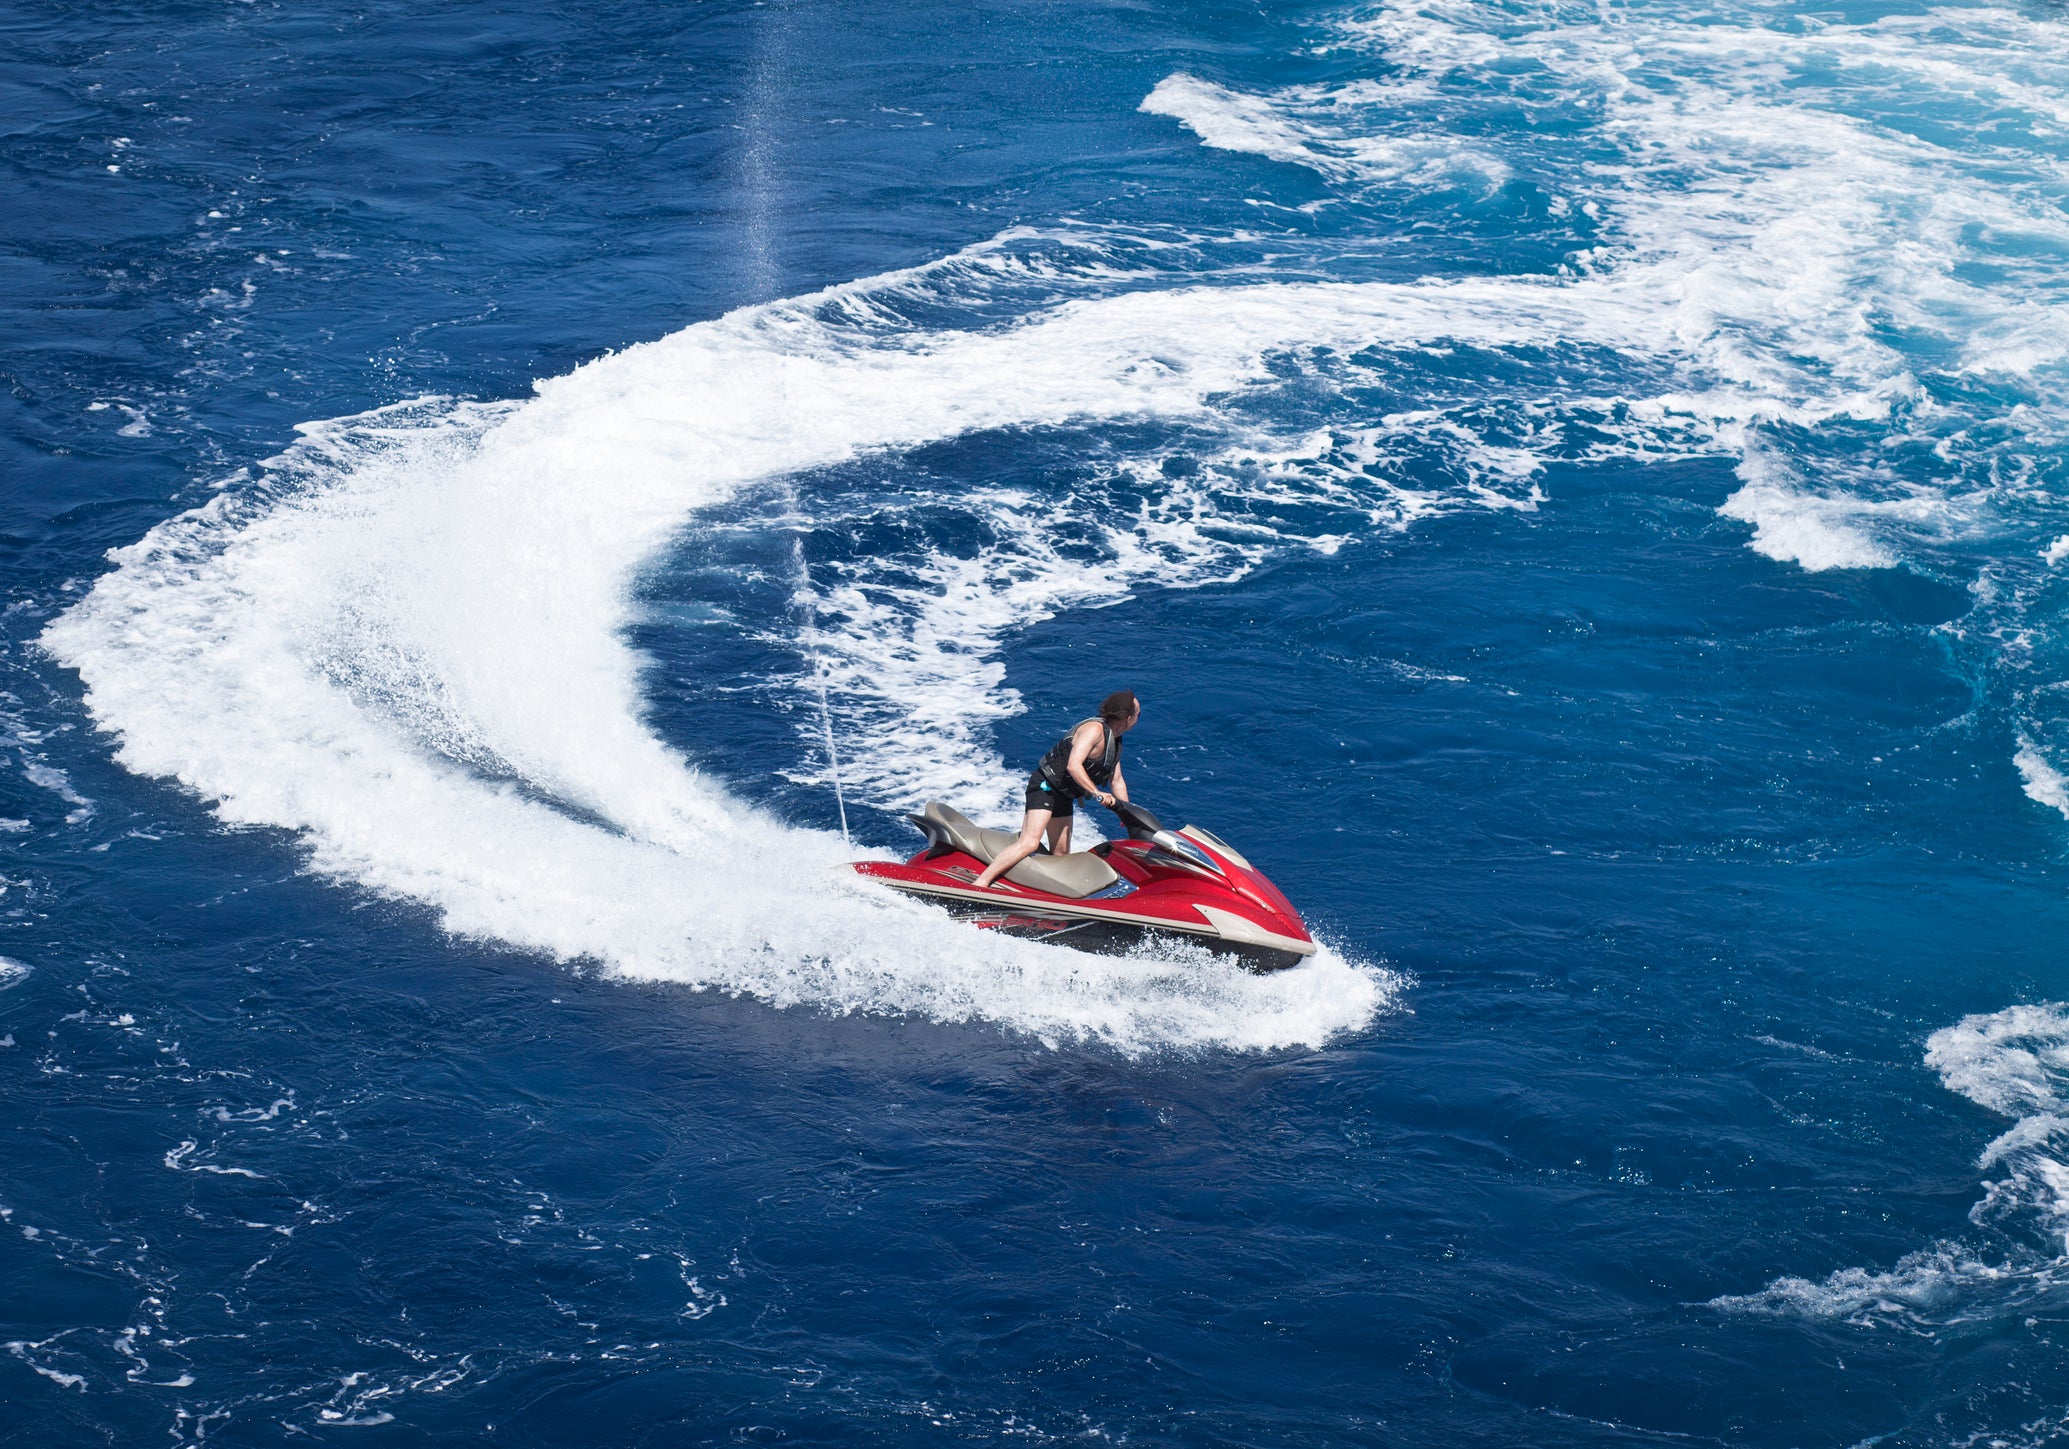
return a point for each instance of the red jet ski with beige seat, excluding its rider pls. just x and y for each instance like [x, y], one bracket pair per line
[1182, 885]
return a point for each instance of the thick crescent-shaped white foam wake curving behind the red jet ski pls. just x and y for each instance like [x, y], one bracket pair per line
[409, 647]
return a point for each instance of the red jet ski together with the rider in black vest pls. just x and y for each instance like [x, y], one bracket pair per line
[1156, 883]
